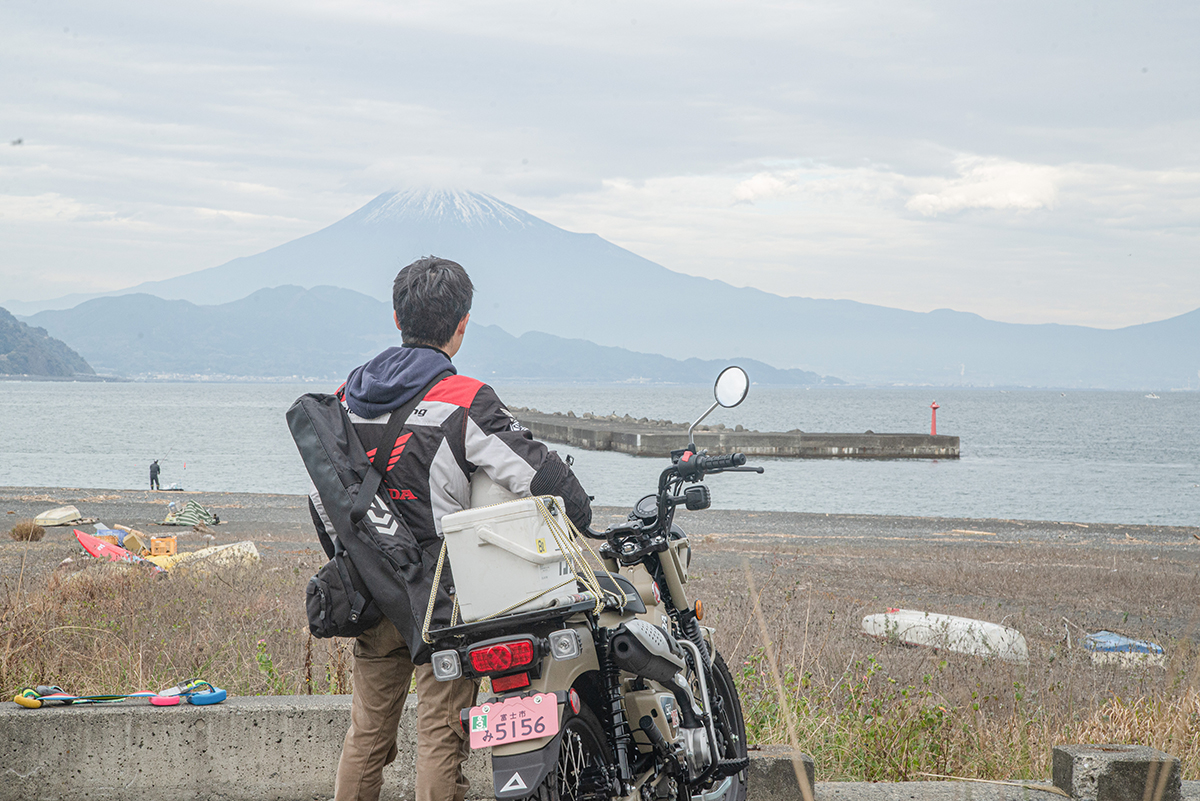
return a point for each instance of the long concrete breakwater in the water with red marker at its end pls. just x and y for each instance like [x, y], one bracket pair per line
[658, 438]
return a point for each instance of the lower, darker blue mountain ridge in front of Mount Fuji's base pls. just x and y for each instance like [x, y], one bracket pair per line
[326, 332]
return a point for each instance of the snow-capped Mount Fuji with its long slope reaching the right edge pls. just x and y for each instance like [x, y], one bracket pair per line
[533, 276]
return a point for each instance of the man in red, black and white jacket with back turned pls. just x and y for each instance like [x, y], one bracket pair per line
[460, 427]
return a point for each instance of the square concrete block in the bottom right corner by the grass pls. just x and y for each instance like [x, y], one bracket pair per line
[1117, 773]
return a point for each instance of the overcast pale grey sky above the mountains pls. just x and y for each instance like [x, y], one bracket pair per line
[1030, 162]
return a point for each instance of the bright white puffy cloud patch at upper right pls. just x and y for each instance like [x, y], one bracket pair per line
[989, 183]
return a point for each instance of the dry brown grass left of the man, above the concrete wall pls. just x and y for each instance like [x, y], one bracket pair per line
[110, 629]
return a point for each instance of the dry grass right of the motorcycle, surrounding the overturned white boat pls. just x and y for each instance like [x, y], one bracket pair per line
[867, 710]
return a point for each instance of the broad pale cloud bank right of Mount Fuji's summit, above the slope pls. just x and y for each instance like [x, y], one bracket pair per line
[1114, 240]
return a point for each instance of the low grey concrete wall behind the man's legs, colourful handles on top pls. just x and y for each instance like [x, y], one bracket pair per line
[262, 749]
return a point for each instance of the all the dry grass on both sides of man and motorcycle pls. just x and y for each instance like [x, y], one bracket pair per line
[863, 709]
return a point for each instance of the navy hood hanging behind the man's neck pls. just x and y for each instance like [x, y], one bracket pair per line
[393, 378]
